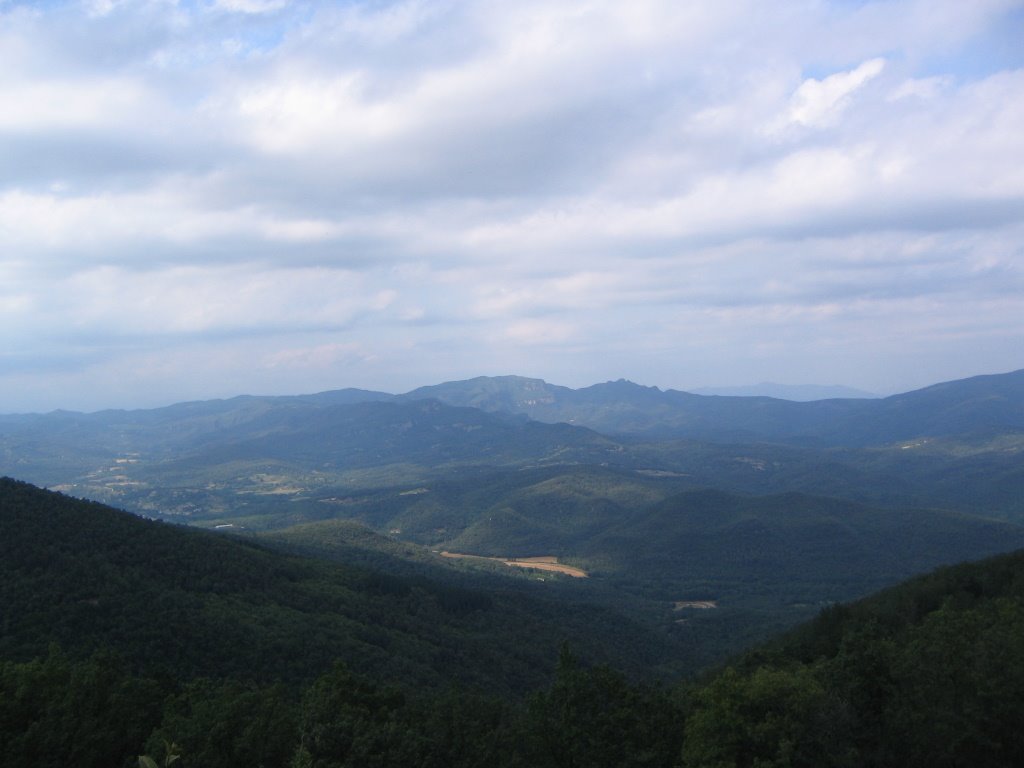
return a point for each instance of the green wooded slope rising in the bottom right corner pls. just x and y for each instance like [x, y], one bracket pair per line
[930, 673]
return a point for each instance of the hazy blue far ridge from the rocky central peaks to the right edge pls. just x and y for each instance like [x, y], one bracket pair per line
[982, 405]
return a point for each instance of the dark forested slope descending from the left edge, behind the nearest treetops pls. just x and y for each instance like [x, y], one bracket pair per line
[193, 603]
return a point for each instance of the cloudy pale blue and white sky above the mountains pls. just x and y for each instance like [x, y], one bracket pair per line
[207, 198]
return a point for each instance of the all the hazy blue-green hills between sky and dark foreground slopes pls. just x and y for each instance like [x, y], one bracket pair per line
[770, 508]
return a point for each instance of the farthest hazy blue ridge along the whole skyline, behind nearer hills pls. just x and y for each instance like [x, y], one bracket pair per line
[979, 406]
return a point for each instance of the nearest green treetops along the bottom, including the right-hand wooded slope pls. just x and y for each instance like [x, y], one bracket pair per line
[927, 674]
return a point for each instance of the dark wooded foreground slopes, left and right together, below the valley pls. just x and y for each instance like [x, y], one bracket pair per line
[924, 674]
